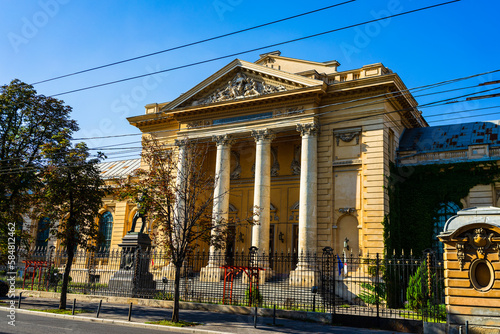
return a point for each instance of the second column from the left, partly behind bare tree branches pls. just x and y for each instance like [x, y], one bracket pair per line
[220, 212]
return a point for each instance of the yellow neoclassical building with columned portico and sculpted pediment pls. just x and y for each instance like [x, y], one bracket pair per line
[306, 143]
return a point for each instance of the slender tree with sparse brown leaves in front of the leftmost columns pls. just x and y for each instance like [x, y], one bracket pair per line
[180, 196]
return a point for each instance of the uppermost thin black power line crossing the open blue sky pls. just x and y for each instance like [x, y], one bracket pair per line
[193, 43]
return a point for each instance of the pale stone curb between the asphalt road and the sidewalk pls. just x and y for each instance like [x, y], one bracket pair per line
[118, 322]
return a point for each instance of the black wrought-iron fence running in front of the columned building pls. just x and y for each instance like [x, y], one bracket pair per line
[374, 285]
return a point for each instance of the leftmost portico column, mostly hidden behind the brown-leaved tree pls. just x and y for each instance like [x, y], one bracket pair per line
[180, 201]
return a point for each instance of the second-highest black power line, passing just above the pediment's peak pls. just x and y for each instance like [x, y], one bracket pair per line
[253, 50]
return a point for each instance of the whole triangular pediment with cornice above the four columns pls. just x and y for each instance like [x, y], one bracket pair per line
[240, 80]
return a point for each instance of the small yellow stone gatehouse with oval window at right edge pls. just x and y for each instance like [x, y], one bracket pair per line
[472, 269]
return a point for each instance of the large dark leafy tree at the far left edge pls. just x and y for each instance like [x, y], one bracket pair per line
[27, 122]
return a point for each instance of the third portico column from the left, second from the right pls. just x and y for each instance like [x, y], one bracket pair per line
[262, 197]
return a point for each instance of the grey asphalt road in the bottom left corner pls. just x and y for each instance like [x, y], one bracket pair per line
[34, 324]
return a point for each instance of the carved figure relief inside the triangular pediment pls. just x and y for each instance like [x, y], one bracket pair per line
[239, 87]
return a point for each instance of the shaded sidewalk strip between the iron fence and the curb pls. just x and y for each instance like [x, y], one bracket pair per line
[218, 322]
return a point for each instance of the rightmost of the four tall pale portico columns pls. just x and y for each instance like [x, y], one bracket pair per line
[306, 273]
